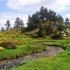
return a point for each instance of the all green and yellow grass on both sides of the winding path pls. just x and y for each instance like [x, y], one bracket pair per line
[25, 46]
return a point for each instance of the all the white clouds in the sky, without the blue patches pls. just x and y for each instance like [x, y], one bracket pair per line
[31, 6]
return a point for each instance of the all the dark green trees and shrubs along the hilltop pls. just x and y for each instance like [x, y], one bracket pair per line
[47, 21]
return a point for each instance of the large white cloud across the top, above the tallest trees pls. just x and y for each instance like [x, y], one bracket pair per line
[34, 5]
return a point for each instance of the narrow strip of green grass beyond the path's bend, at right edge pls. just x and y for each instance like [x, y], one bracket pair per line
[61, 43]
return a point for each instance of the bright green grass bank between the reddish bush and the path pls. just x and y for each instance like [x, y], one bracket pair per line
[20, 51]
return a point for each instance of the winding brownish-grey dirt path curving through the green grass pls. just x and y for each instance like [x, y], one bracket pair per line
[51, 51]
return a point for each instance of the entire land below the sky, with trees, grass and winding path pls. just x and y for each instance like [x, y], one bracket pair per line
[43, 45]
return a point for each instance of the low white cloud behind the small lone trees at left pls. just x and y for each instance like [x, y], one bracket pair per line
[12, 17]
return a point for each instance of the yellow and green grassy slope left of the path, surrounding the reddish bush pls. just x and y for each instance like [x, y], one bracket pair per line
[24, 44]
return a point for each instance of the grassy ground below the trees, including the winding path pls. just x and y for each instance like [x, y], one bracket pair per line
[34, 53]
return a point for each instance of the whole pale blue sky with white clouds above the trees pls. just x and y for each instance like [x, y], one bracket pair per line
[10, 9]
